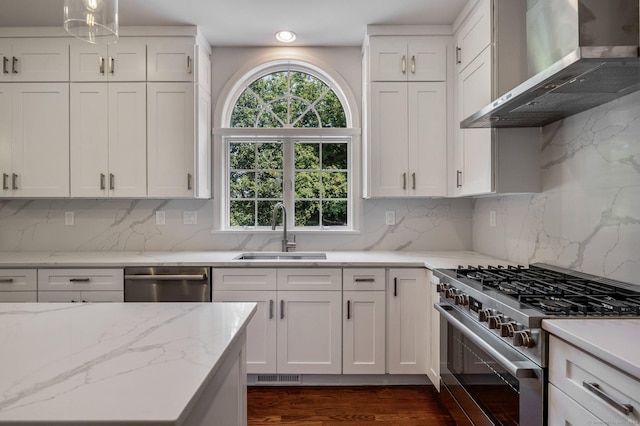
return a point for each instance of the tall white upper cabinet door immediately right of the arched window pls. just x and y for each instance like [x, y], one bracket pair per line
[388, 139]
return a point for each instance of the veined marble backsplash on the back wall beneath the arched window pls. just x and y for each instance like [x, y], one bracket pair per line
[130, 225]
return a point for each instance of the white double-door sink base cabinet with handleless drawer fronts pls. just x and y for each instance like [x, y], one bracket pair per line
[294, 331]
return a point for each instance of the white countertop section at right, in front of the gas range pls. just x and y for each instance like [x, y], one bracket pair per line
[612, 340]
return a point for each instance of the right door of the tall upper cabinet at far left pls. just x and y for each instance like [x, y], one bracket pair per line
[40, 148]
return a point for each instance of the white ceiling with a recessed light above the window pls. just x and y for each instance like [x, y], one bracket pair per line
[254, 22]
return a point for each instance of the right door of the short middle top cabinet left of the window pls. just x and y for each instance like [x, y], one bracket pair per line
[127, 60]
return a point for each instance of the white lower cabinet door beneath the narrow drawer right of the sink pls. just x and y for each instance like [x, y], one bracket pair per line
[363, 342]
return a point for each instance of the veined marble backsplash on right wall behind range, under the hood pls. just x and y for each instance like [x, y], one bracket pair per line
[588, 216]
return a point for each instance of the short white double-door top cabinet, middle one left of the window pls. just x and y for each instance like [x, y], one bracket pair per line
[123, 61]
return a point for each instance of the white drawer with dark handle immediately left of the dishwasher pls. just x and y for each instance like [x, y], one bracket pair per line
[80, 279]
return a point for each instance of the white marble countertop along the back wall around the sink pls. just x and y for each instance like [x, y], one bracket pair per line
[430, 260]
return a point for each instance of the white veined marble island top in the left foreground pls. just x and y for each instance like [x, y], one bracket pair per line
[111, 362]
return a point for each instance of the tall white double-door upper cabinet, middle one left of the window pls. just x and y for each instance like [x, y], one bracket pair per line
[108, 140]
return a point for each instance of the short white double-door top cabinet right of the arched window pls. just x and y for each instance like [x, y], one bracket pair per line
[407, 58]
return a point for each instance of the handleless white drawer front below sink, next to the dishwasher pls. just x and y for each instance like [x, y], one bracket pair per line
[243, 279]
